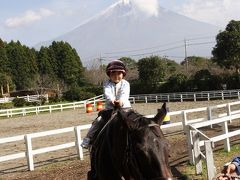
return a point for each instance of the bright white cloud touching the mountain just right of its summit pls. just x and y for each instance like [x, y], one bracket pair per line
[150, 7]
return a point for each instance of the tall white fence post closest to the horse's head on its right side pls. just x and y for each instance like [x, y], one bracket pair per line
[189, 138]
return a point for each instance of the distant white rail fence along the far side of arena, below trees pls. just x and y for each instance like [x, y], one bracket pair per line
[185, 96]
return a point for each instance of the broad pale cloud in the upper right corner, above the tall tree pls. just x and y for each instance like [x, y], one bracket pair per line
[217, 12]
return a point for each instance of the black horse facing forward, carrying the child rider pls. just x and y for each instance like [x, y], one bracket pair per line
[131, 147]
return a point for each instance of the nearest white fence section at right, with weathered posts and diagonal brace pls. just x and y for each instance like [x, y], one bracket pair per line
[199, 139]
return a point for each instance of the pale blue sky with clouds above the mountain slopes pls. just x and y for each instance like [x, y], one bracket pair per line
[34, 21]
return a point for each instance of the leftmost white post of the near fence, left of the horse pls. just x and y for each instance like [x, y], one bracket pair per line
[29, 155]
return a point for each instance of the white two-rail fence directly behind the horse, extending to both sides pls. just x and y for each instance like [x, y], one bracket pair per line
[184, 123]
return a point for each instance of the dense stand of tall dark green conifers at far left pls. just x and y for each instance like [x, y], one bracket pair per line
[24, 68]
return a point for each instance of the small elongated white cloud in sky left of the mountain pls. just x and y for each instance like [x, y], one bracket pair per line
[28, 17]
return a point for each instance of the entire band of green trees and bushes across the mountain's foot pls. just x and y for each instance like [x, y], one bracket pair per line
[58, 66]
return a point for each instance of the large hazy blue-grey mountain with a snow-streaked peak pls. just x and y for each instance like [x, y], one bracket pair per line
[124, 29]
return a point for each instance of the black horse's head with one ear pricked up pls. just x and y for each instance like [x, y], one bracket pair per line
[148, 147]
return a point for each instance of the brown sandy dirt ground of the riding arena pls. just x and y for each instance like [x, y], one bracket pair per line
[63, 164]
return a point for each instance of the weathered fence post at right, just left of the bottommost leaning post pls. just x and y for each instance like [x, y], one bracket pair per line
[197, 152]
